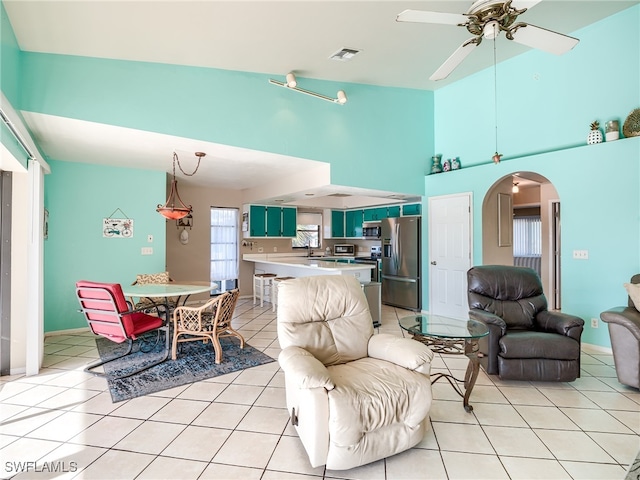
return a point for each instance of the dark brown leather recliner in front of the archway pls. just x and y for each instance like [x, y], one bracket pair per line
[526, 341]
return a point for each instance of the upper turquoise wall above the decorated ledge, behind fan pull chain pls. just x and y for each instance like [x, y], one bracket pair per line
[545, 102]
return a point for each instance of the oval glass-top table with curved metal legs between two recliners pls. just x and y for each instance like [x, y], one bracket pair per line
[450, 335]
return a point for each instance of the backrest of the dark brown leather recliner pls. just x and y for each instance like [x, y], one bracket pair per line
[512, 293]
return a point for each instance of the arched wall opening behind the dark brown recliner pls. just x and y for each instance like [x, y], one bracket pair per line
[536, 197]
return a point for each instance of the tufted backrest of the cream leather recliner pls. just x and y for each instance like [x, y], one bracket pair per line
[327, 315]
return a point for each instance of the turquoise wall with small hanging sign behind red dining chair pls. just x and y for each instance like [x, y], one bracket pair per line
[78, 196]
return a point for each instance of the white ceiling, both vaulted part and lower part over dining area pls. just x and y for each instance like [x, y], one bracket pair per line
[271, 37]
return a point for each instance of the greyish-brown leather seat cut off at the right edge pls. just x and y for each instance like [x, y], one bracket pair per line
[624, 331]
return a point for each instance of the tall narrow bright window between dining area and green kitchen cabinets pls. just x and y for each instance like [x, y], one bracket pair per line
[224, 248]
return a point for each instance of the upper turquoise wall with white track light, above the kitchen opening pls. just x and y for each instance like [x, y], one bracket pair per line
[377, 125]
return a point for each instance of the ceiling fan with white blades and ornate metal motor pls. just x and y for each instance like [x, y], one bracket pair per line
[486, 19]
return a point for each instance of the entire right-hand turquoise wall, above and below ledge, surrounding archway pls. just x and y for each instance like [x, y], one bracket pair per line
[543, 125]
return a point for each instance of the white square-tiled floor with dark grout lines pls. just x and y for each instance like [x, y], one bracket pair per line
[236, 426]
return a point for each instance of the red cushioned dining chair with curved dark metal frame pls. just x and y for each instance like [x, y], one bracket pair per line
[110, 316]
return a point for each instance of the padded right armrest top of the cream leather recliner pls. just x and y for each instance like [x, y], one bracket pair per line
[404, 352]
